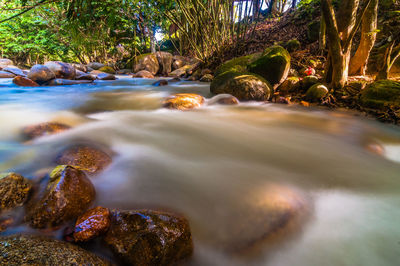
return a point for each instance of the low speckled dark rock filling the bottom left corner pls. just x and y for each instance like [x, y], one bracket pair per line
[36, 250]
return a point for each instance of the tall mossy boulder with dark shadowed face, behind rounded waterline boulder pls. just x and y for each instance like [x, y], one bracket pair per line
[273, 65]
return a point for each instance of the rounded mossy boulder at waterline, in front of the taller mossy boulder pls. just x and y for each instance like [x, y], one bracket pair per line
[244, 86]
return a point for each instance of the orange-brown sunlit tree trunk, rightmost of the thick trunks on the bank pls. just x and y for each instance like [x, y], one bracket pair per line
[358, 63]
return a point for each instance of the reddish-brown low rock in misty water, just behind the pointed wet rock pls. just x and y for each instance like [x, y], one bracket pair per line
[84, 157]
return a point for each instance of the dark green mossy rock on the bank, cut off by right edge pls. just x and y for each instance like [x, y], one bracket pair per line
[380, 94]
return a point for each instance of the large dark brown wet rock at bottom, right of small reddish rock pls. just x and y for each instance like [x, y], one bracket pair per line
[149, 238]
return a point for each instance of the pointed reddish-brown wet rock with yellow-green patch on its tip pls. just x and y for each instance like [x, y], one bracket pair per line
[68, 194]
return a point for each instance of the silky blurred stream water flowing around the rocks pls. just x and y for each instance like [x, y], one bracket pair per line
[218, 164]
